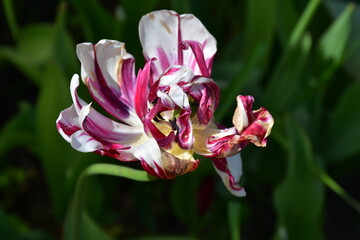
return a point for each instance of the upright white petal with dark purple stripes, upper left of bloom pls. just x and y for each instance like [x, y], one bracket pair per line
[108, 71]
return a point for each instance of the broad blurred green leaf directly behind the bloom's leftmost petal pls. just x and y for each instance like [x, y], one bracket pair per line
[56, 154]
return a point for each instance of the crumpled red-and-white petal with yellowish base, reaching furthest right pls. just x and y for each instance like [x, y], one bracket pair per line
[250, 126]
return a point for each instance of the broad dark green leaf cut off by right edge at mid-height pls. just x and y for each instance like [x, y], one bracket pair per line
[342, 138]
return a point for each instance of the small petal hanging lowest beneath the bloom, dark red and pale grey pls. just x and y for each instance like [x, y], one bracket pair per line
[230, 171]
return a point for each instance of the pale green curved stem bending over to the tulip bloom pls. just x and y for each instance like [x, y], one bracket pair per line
[73, 221]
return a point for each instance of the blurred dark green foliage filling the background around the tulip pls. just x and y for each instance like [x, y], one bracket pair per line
[300, 59]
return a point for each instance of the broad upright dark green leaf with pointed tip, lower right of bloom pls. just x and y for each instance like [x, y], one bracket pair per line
[299, 200]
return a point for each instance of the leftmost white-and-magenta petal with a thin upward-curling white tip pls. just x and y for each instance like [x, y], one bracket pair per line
[89, 131]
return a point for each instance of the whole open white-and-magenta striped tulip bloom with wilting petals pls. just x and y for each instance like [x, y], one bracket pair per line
[165, 113]
